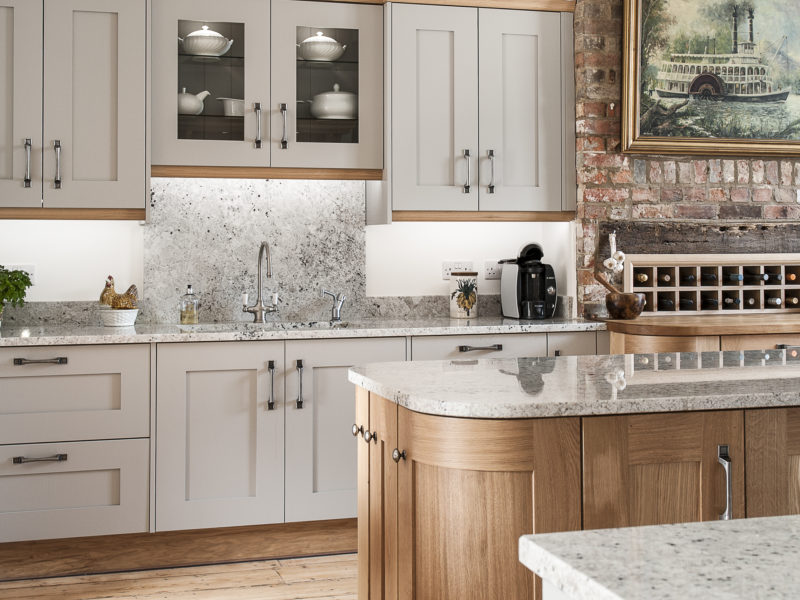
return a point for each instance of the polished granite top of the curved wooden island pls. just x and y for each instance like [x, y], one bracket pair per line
[587, 385]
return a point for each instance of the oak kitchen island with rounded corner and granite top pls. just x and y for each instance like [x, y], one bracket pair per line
[458, 459]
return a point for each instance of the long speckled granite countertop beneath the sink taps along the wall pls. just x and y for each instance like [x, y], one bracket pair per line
[225, 332]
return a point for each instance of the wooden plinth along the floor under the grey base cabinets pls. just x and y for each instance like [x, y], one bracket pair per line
[136, 551]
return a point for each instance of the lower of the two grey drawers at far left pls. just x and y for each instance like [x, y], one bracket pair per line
[100, 488]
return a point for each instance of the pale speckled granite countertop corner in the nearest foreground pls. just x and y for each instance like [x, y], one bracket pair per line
[742, 559]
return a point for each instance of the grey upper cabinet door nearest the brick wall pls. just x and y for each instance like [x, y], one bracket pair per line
[520, 110]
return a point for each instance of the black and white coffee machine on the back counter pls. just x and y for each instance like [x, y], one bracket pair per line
[527, 285]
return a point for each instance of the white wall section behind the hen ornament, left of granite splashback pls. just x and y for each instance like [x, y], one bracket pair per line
[73, 258]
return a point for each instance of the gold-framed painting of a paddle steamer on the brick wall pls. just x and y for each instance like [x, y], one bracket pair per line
[711, 77]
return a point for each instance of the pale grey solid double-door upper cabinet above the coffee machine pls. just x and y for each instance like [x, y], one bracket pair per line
[478, 119]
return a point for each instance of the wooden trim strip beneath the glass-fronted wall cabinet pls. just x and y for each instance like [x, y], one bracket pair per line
[265, 173]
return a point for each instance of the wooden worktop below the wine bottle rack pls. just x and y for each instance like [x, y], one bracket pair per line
[708, 325]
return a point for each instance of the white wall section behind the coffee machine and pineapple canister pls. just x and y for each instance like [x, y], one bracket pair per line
[405, 259]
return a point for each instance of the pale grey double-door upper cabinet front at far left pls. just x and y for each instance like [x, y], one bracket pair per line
[87, 131]
